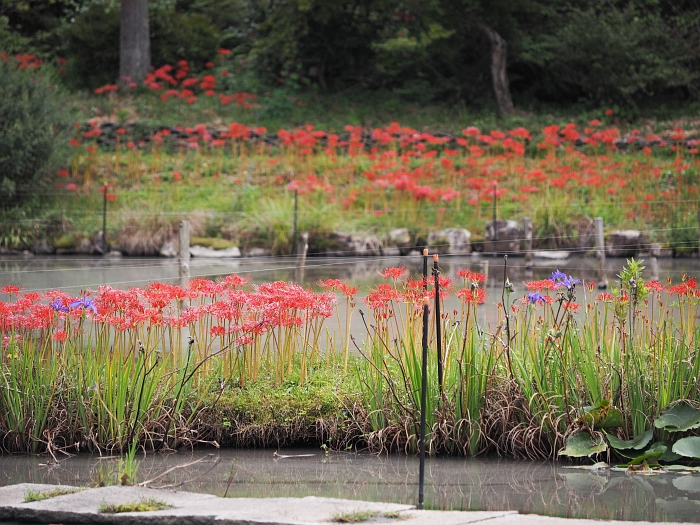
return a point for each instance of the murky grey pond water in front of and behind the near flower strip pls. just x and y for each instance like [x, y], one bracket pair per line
[451, 483]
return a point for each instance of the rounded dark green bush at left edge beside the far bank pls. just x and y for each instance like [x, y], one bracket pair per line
[31, 122]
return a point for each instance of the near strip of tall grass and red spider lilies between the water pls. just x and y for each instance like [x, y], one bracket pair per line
[222, 362]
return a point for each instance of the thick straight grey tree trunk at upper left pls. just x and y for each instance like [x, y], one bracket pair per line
[134, 42]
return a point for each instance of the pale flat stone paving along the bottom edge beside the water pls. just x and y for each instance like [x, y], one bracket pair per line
[203, 509]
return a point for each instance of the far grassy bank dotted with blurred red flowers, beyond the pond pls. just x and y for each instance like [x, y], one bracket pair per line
[239, 183]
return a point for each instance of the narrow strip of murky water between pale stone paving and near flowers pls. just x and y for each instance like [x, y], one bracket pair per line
[451, 483]
